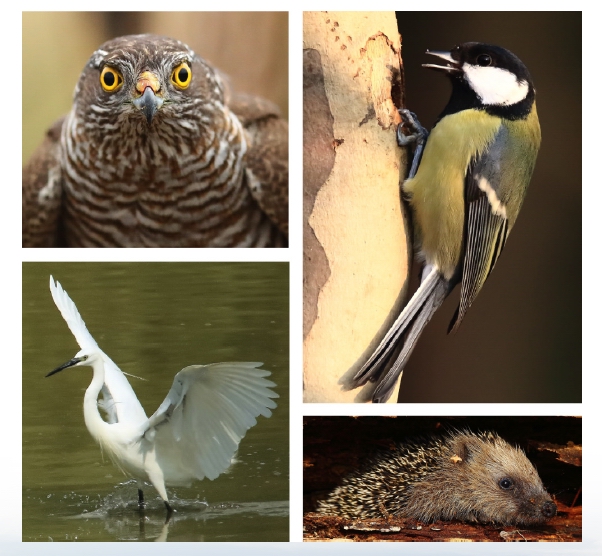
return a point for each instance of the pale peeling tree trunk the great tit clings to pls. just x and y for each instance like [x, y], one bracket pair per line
[356, 240]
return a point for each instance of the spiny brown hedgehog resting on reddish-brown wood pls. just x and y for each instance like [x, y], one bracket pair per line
[462, 475]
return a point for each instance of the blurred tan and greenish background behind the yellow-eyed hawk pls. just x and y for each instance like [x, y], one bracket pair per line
[251, 48]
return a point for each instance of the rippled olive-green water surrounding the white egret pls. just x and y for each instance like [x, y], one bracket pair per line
[152, 320]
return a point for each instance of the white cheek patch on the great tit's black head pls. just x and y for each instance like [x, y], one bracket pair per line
[495, 86]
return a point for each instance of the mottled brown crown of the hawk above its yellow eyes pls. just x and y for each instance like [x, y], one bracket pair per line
[141, 51]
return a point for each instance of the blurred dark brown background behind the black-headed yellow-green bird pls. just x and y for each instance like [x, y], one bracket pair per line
[521, 340]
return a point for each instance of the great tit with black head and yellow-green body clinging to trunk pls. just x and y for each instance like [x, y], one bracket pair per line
[466, 193]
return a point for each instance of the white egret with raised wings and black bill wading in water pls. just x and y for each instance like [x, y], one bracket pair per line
[196, 430]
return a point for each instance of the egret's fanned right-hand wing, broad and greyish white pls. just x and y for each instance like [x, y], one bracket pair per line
[197, 428]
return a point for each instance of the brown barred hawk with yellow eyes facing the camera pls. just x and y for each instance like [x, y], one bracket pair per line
[158, 158]
